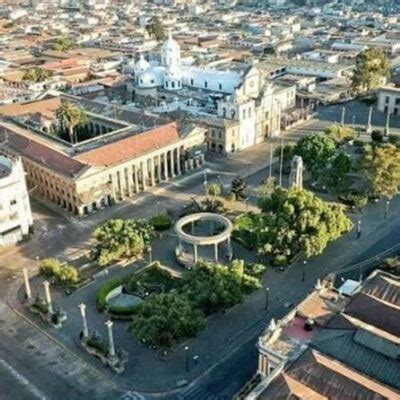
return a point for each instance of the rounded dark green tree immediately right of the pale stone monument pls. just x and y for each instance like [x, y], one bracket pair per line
[317, 150]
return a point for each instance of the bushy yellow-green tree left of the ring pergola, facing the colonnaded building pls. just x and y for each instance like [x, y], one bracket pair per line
[119, 238]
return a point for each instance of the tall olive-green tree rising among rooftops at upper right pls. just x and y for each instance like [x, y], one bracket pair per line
[371, 66]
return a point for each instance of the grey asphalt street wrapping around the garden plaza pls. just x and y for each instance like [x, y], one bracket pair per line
[34, 366]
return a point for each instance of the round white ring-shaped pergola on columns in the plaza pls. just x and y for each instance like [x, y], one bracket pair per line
[219, 227]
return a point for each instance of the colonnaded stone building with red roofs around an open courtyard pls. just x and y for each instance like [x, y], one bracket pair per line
[124, 153]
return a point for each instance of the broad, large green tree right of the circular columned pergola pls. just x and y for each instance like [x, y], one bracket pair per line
[293, 221]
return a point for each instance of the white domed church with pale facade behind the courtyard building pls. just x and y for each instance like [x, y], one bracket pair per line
[239, 108]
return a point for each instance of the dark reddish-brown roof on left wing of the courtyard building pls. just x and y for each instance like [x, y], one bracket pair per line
[42, 154]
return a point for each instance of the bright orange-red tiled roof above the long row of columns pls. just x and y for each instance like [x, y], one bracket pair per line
[131, 147]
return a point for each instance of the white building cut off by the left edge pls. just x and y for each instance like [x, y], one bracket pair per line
[15, 210]
